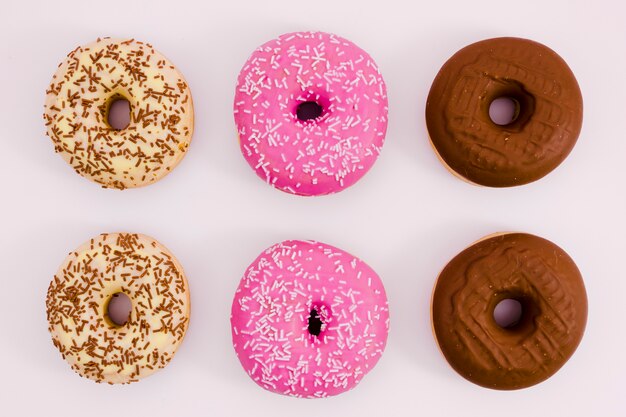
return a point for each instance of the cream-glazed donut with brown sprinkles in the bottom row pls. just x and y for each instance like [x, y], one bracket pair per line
[77, 308]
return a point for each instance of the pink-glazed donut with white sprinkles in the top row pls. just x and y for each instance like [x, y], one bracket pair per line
[311, 112]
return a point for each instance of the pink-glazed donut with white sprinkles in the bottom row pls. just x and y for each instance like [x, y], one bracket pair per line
[309, 320]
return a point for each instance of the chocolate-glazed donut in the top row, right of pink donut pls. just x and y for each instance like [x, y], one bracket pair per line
[545, 126]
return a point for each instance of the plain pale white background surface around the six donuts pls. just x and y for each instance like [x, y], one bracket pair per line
[406, 218]
